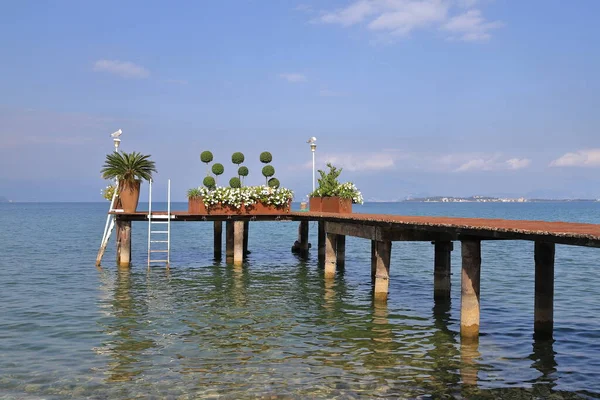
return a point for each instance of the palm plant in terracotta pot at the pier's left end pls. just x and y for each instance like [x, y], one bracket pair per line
[129, 169]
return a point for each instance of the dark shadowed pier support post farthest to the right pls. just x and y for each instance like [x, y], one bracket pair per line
[544, 290]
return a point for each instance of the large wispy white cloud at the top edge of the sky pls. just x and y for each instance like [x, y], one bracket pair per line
[400, 17]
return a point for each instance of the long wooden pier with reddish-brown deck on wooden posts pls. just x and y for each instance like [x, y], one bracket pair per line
[382, 230]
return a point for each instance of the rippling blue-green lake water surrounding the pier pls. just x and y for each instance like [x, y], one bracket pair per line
[275, 328]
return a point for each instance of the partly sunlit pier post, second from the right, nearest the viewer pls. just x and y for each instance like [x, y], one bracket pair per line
[470, 278]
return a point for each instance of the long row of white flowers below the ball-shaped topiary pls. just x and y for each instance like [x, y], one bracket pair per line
[246, 196]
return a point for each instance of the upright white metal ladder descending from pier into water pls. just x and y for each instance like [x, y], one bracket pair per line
[159, 221]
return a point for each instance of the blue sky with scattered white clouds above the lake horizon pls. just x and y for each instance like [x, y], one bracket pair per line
[410, 97]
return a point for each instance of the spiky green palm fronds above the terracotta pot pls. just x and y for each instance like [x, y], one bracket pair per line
[128, 167]
